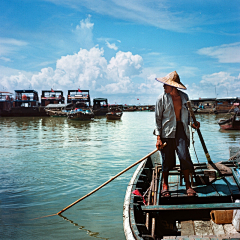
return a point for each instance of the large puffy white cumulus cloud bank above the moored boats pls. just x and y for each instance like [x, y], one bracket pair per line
[85, 69]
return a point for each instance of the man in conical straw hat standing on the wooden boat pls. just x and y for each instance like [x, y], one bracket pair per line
[172, 121]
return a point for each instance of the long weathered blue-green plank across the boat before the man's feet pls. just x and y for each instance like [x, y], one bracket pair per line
[210, 206]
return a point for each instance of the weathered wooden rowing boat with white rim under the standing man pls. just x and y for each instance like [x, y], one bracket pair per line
[180, 215]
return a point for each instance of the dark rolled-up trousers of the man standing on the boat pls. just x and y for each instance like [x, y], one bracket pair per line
[176, 145]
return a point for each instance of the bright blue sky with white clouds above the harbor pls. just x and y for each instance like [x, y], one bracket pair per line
[116, 49]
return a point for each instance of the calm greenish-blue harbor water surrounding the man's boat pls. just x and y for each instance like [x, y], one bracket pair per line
[48, 163]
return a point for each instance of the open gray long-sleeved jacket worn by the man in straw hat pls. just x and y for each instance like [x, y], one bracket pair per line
[165, 116]
